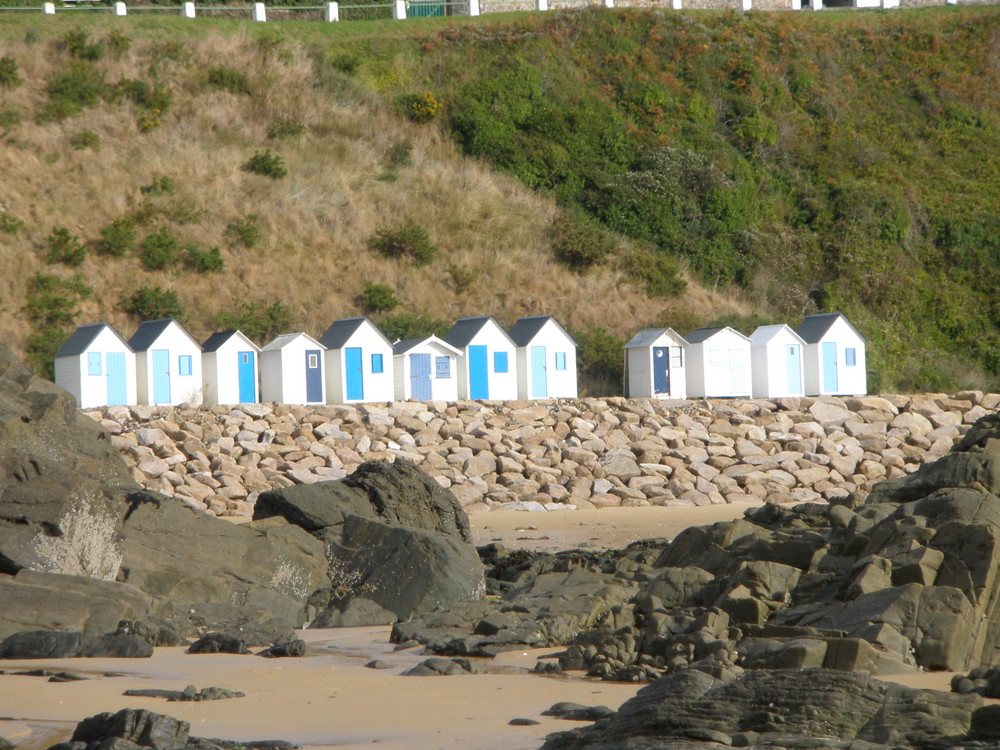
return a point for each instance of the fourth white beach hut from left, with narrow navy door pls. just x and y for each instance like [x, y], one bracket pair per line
[291, 370]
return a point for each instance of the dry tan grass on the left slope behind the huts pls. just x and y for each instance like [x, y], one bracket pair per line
[317, 221]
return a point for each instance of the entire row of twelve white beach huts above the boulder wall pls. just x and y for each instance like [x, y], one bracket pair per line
[354, 362]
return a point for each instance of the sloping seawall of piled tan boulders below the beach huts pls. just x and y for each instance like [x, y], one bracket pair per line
[554, 454]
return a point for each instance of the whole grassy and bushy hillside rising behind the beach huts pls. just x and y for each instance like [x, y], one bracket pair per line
[617, 169]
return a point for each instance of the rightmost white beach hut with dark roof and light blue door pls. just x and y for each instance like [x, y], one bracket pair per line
[834, 356]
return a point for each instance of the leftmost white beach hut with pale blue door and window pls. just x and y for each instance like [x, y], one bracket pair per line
[97, 366]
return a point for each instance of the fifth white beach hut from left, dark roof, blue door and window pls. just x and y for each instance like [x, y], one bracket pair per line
[358, 361]
